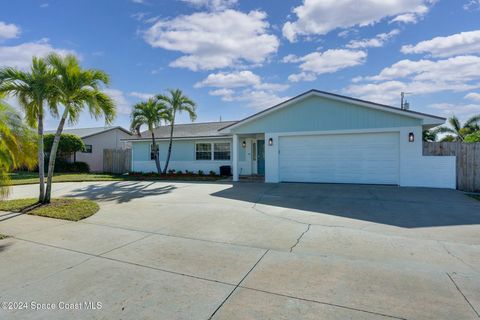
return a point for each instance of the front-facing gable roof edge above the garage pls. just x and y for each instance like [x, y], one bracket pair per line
[428, 119]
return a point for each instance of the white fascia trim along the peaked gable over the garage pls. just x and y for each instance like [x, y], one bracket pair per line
[427, 120]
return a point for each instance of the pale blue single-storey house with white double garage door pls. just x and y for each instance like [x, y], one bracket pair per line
[314, 137]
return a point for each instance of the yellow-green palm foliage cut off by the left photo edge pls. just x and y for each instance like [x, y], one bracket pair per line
[17, 142]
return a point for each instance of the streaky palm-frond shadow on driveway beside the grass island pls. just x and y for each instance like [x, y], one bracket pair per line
[121, 191]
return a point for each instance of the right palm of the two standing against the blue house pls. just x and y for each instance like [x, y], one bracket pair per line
[176, 102]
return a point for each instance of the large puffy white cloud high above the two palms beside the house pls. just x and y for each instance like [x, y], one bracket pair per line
[212, 40]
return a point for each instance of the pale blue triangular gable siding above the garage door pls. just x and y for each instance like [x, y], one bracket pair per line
[319, 114]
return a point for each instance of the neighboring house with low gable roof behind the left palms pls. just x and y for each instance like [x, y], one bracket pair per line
[97, 139]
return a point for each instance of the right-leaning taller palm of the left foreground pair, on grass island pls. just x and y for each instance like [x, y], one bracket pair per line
[78, 89]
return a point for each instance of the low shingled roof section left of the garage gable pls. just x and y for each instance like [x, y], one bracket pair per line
[188, 130]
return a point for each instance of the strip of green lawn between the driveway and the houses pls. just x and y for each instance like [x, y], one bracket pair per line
[19, 178]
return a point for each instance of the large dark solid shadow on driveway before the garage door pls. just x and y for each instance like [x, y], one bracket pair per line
[390, 205]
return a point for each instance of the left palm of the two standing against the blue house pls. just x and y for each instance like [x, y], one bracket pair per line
[151, 114]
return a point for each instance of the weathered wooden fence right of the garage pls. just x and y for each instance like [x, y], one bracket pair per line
[468, 161]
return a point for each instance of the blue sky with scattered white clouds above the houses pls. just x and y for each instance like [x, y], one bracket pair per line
[237, 57]
